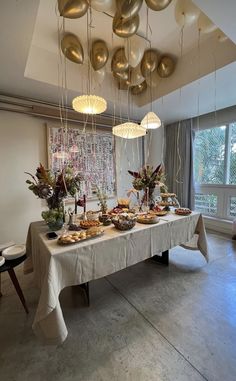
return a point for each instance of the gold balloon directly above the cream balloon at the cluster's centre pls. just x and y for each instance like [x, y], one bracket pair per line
[125, 27]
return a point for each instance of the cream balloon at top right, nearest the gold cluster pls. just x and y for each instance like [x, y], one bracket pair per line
[186, 13]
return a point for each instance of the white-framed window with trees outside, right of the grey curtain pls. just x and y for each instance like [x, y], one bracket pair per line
[215, 171]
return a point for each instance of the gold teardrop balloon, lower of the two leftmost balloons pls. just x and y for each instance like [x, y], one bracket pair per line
[72, 48]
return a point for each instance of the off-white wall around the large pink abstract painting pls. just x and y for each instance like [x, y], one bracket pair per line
[22, 148]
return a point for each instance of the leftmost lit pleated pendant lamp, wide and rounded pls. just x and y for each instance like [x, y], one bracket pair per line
[89, 104]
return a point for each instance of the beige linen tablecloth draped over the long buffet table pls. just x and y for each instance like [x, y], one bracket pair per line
[56, 267]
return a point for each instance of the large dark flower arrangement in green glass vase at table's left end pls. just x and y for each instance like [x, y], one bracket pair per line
[54, 187]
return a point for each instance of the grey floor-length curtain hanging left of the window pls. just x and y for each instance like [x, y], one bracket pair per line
[179, 161]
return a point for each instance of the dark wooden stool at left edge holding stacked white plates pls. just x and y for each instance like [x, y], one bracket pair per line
[9, 266]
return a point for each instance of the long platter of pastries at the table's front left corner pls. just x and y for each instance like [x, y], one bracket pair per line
[77, 237]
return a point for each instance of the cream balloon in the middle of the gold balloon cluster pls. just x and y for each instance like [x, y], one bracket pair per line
[134, 49]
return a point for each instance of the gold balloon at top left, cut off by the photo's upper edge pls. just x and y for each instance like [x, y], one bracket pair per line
[72, 9]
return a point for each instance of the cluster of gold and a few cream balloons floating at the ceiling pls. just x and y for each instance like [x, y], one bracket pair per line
[132, 66]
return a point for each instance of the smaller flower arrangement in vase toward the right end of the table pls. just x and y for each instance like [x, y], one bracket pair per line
[146, 180]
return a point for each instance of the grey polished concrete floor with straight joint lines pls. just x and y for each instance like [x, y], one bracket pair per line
[145, 323]
